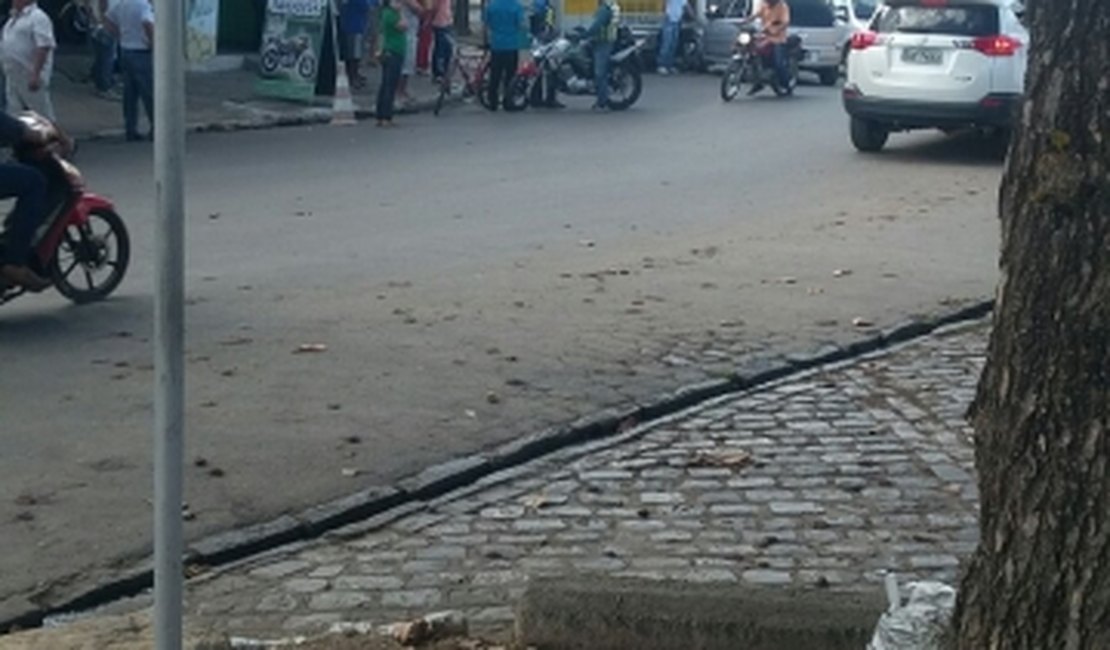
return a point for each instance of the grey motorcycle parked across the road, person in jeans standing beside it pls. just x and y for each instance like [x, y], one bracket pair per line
[569, 60]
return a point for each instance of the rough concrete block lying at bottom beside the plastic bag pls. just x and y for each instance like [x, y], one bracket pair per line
[604, 614]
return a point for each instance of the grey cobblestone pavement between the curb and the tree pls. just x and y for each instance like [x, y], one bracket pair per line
[825, 480]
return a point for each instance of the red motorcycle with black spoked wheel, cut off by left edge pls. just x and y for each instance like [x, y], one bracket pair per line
[83, 247]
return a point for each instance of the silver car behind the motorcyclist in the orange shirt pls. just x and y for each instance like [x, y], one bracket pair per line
[823, 36]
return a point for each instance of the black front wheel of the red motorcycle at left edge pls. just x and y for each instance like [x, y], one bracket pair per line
[100, 247]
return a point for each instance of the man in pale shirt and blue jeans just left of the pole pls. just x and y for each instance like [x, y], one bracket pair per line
[133, 22]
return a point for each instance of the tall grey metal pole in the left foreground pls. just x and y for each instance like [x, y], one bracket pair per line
[169, 319]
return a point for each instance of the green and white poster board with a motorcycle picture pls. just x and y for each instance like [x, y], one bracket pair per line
[291, 45]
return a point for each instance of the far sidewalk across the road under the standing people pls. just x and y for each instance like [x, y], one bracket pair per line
[223, 100]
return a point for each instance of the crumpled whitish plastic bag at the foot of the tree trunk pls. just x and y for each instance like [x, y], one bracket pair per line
[919, 624]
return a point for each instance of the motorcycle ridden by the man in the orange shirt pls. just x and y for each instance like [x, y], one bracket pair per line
[753, 64]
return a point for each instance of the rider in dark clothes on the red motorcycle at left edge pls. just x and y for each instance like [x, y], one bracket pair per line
[29, 188]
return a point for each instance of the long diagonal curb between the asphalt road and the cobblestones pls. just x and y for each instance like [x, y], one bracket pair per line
[438, 481]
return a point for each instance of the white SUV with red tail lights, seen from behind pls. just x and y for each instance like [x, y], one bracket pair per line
[936, 65]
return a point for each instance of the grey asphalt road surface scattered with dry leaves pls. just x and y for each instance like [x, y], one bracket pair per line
[476, 278]
